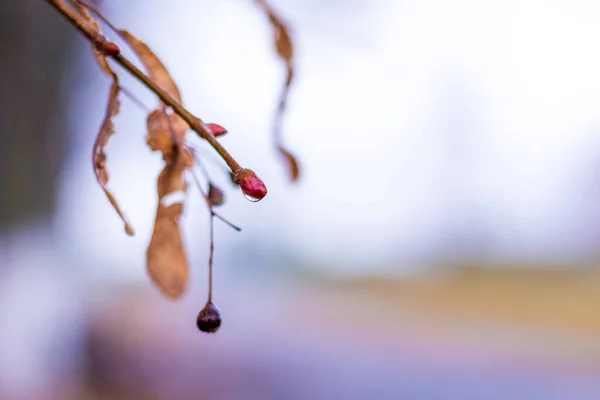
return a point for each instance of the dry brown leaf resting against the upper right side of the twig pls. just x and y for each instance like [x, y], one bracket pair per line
[157, 70]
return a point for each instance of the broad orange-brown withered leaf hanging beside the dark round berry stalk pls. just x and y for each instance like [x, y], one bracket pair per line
[166, 259]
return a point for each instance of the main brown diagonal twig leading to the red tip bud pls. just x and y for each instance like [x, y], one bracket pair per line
[195, 123]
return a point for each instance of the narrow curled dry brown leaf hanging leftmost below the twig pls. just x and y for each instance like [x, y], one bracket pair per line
[99, 156]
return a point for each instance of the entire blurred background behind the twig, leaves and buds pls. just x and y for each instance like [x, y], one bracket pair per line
[443, 242]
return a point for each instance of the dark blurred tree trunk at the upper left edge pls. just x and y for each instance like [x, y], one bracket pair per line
[35, 53]
